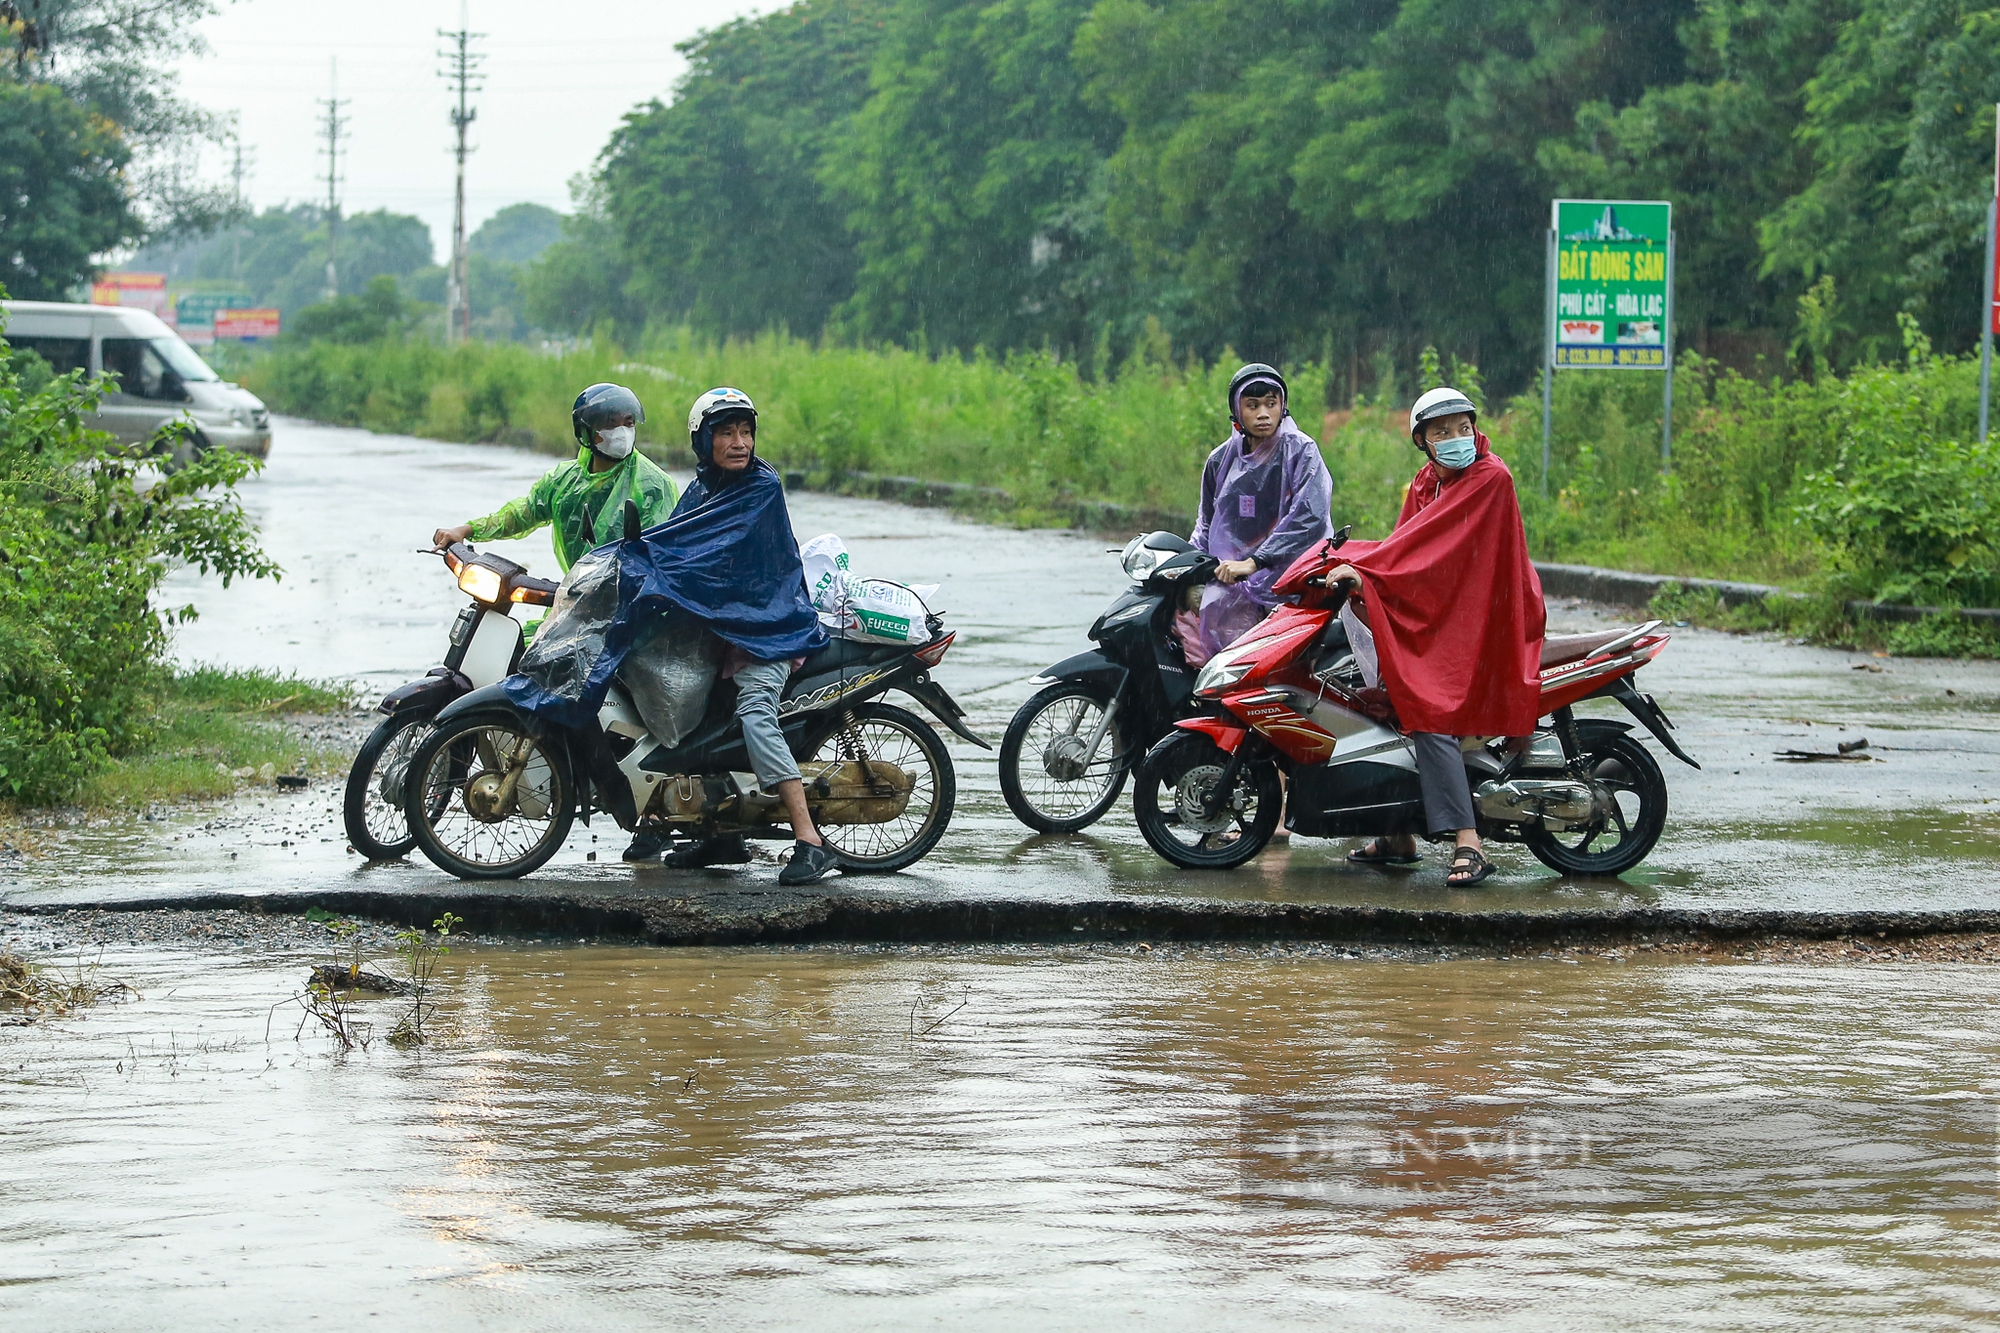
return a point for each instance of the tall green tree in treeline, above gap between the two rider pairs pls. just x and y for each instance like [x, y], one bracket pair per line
[977, 177]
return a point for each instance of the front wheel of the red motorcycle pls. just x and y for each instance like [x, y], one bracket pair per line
[1169, 796]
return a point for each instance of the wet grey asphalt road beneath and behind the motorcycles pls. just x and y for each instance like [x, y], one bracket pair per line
[345, 513]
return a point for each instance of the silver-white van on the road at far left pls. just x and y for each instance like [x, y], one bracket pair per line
[159, 377]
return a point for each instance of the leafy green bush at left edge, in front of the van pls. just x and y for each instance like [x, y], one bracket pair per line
[87, 531]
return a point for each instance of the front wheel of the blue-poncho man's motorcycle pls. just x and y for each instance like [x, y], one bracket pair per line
[493, 844]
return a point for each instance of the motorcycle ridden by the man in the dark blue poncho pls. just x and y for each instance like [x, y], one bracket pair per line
[493, 790]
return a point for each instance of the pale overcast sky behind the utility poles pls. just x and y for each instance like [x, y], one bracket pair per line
[553, 93]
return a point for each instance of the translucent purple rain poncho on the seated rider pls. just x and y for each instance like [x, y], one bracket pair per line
[1271, 505]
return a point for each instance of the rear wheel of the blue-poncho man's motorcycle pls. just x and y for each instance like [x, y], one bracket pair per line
[899, 738]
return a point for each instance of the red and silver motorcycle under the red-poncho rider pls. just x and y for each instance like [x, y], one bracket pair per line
[1287, 698]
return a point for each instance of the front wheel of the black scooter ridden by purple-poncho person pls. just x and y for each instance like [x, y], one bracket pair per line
[1033, 758]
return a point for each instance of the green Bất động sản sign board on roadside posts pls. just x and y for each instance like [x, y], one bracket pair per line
[1613, 285]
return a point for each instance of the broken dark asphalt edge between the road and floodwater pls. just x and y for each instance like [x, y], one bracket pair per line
[1001, 922]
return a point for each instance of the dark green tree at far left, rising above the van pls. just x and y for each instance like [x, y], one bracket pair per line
[63, 197]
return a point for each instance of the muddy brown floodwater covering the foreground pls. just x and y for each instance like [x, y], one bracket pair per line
[1179, 1140]
